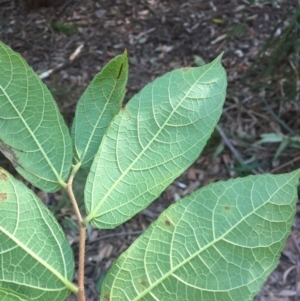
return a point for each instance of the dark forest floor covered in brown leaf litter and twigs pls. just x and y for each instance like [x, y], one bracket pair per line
[161, 36]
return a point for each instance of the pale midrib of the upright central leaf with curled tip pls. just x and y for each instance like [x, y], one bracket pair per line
[92, 214]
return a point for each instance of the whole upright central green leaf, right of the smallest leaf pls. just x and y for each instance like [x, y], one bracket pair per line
[152, 141]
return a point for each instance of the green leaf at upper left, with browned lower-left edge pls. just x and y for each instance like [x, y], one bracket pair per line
[33, 134]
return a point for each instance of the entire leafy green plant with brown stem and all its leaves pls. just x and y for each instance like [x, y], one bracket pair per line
[217, 244]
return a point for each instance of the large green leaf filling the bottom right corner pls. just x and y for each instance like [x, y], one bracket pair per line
[219, 243]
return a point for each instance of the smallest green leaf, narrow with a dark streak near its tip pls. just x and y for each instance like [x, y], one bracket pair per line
[96, 108]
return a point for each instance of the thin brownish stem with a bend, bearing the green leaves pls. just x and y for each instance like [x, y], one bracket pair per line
[82, 235]
